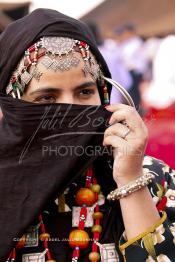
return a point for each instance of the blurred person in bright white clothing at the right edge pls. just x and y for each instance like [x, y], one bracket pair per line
[161, 92]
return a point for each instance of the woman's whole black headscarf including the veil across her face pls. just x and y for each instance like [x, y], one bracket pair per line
[29, 174]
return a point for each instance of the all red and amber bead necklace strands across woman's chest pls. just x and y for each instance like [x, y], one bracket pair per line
[78, 238]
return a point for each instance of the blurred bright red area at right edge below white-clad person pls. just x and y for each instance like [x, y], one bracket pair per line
[161, 127]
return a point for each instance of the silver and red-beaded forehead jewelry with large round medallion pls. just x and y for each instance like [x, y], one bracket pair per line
[58, 55]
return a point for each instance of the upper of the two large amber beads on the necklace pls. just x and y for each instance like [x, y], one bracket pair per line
[85, 196]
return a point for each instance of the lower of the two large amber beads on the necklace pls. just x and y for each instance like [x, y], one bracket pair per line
[79, 238]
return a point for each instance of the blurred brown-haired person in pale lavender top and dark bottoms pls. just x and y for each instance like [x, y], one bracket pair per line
[130, 48]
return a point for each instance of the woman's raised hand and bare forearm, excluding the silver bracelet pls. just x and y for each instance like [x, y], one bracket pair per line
[128, 136]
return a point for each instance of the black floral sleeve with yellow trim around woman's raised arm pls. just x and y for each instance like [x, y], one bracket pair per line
[157, 243]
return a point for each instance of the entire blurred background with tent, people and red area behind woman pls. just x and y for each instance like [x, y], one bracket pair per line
[137, 39]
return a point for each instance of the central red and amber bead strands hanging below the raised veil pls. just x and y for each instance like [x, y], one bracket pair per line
[79, 238]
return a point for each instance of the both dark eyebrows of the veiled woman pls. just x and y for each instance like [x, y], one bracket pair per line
[57, 90]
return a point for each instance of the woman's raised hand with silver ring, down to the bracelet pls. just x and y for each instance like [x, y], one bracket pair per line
[128, 136]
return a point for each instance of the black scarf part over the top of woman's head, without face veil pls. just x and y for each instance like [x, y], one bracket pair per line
[42, 22]
